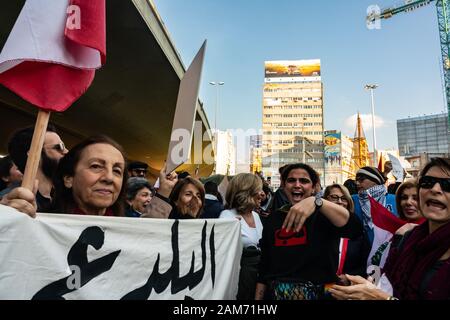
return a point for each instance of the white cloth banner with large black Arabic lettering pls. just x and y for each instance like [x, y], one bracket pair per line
[84, 257]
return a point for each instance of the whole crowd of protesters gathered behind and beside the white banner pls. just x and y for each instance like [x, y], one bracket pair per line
[300, 242]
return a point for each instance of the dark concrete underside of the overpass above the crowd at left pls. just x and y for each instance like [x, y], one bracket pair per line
[132, 98]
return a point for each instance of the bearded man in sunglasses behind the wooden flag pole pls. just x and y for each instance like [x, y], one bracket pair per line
[53, 150]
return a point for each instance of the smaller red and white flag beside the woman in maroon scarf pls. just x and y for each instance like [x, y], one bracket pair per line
[385, 224]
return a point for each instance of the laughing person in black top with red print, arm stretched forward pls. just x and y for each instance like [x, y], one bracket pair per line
[298, 246]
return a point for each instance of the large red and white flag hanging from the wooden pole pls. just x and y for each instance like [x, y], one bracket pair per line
[53, 50]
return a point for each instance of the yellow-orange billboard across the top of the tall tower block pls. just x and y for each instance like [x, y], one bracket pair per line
[292, 71]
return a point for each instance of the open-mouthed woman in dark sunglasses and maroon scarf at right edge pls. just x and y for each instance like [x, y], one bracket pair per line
[418, 267]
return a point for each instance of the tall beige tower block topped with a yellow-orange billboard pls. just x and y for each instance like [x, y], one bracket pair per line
[292, 116]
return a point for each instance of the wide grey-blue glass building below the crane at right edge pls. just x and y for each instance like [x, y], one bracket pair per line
[425, 134]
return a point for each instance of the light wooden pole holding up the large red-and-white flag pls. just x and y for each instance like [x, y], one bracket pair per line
[34, 154]
